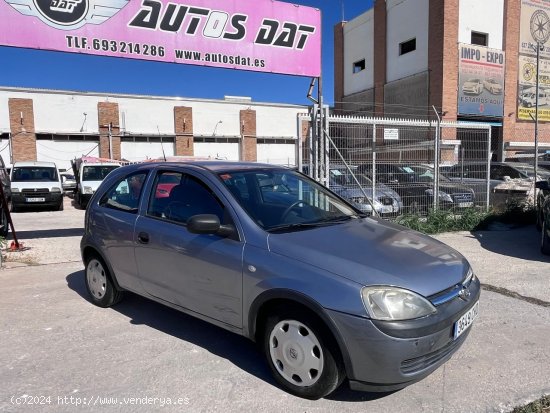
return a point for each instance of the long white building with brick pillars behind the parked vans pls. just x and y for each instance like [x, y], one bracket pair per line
[57, 126]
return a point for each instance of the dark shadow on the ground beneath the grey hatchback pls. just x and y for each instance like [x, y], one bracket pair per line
[240, 351]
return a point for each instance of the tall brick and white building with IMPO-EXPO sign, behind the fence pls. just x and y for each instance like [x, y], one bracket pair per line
[471, 60]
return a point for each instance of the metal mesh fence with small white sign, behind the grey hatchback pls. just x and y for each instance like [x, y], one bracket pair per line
[401, 166]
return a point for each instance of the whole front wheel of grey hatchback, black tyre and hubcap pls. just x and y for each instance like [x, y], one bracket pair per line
[302, 354]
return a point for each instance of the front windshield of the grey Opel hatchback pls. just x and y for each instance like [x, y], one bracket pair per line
[279, 200]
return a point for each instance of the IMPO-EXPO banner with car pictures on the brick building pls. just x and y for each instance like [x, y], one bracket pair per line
[480, 81]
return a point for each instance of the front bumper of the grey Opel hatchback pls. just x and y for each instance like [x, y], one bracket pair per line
[387, 356]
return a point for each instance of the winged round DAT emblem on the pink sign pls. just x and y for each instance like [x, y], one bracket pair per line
[69, 14]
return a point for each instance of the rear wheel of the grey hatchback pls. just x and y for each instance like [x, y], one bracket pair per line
[99, 283]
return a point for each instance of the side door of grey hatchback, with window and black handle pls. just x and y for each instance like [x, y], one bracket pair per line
[202, 273]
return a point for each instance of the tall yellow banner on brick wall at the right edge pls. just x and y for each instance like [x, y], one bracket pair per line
[534, 29]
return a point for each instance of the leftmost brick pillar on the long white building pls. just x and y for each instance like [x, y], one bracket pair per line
[23, 137]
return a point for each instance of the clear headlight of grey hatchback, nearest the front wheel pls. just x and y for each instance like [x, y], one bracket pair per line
[393, 303]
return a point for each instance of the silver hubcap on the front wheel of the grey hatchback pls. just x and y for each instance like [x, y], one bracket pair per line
[296, 353]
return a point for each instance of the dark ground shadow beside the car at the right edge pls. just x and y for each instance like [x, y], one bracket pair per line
[521, 242]
